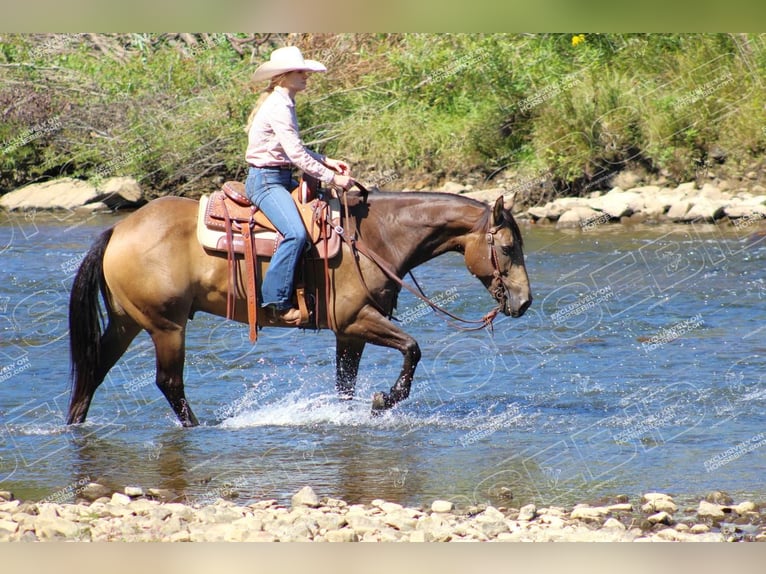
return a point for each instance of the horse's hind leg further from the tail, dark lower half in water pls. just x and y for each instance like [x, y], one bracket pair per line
[170, 348]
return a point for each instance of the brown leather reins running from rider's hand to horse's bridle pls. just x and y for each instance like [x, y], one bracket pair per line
[357, 246]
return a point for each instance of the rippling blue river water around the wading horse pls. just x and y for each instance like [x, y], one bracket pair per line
[639, 367]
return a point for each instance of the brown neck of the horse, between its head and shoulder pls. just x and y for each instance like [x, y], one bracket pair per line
[426, 226]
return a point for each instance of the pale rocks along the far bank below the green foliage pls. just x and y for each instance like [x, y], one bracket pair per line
[743, 206]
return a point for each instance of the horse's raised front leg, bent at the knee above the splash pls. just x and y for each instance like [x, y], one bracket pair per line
[374, 328]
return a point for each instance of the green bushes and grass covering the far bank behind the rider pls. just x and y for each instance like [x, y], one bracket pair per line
[170, 108]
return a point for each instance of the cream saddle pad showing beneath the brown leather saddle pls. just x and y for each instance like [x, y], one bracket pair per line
[266, 241]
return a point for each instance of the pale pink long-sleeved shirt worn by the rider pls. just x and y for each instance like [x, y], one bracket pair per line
[274, 139]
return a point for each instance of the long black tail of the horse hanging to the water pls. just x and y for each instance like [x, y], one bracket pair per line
[85, 327]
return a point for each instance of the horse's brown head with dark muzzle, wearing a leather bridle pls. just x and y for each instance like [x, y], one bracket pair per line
[496, 257]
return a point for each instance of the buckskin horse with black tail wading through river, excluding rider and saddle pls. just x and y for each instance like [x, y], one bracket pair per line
[153, 274]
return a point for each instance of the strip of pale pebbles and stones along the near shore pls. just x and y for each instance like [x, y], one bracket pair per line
[138, 516]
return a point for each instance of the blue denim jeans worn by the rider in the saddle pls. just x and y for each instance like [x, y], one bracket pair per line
[268, 190]
